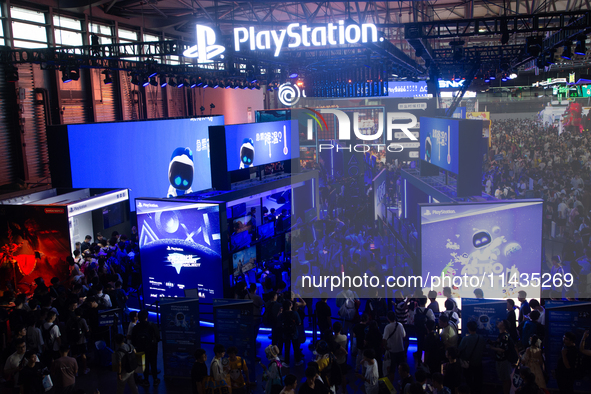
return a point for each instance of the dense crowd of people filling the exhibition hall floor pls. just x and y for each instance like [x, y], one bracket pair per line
[365, 346]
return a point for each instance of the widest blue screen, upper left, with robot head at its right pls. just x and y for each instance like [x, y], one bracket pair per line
[157, 158]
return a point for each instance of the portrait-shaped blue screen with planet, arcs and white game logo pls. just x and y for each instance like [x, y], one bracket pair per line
[180, 249]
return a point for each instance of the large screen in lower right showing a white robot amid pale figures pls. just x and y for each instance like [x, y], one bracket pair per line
[489, 243]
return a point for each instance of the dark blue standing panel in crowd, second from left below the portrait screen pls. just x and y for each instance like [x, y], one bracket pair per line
[233, 323]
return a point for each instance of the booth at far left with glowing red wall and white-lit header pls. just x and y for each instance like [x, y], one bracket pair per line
[40, 230]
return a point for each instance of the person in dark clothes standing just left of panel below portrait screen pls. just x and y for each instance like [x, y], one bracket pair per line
[145, 338]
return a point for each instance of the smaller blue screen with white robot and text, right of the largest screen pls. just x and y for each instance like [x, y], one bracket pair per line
[257, 144]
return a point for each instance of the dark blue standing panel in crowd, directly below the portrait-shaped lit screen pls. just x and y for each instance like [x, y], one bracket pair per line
[181, 335]
